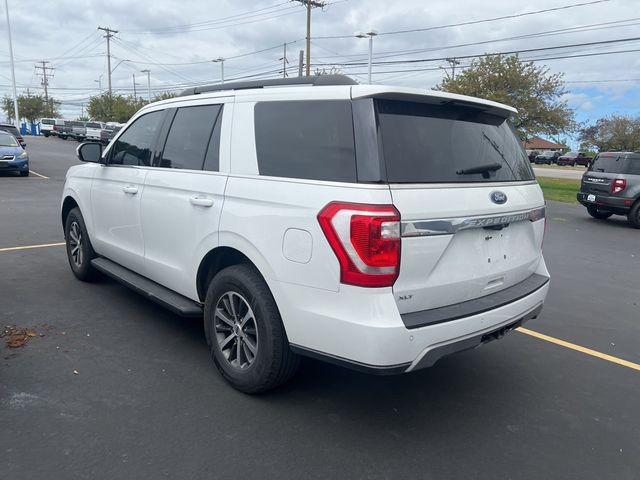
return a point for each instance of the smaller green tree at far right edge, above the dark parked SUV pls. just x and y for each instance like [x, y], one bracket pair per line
[613, 133]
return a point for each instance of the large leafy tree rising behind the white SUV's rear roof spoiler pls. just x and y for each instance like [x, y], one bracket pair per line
[532, 89]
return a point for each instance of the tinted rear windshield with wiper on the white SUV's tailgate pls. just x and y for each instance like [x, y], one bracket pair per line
[425, 143]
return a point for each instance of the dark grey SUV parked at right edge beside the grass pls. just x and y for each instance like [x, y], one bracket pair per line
[611, 186]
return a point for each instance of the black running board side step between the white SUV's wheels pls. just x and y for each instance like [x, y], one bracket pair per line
[148, 288]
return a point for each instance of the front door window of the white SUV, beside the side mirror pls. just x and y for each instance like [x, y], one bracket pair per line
[134, 147]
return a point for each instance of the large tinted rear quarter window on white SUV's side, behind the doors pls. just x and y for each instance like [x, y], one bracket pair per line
[306, 139]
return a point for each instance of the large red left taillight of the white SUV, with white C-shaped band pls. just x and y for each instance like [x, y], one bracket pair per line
[366, 240]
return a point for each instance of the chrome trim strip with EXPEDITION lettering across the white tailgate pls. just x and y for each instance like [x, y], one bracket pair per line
[450, 226]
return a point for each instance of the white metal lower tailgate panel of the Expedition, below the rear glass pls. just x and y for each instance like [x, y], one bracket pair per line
[449, 258]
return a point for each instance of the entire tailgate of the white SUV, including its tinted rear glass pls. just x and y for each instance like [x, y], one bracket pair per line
[471, 211]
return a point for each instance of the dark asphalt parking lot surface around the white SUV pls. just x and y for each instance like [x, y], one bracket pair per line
[118, 387]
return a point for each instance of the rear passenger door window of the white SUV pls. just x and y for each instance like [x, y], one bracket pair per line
[189, 136]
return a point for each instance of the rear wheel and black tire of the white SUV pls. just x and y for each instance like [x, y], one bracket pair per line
[273, 363]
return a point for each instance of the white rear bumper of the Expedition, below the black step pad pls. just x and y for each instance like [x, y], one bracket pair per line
[363, 329]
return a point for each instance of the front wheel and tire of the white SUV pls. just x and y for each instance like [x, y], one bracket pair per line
[75, 232]
